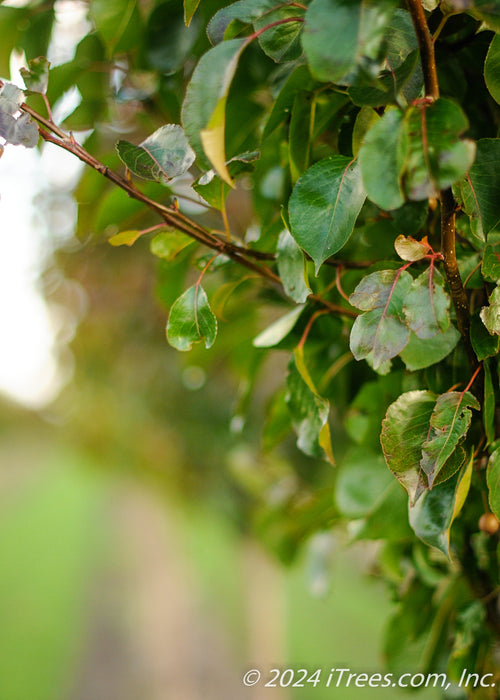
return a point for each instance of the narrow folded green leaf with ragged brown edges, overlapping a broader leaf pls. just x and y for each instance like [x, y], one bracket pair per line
[449, 423]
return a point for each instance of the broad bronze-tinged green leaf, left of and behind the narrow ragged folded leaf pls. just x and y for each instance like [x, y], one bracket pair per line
[404, 430]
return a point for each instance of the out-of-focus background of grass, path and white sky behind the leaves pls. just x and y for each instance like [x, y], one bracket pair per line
[150, 547]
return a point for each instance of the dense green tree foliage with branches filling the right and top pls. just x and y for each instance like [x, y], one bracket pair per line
[369, 154]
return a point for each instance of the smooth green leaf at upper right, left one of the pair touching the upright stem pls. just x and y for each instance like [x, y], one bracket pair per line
[379, 161]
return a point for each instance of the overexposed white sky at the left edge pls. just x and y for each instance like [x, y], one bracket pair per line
[29, 371]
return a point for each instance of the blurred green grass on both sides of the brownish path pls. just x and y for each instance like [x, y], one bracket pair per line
[56, 534]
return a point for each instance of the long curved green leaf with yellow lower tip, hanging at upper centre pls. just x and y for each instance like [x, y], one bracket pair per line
[204, 107]
